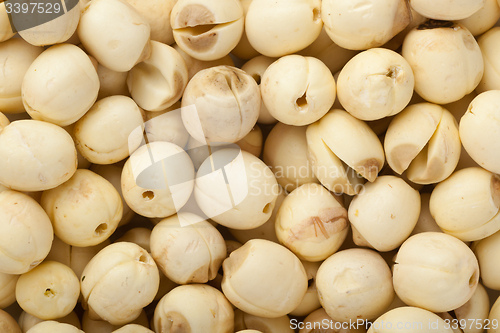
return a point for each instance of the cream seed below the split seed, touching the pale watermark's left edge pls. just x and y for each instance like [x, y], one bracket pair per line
[107, 133]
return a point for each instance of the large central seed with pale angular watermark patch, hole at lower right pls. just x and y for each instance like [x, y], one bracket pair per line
[249, 199]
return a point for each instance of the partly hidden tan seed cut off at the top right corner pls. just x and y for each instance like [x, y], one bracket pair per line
[484, 19]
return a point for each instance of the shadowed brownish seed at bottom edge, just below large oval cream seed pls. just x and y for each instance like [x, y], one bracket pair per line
[254, 324]
